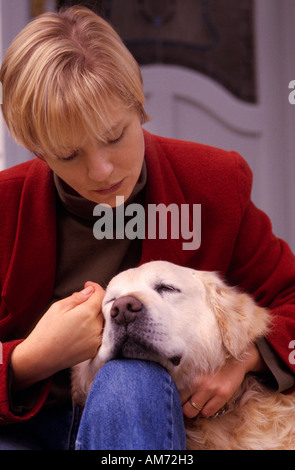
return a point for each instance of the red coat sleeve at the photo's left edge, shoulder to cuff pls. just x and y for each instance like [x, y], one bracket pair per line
[11, 187]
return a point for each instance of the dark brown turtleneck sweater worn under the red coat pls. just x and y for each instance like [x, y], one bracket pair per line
[81, 257]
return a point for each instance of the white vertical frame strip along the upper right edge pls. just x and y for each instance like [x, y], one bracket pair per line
[275, 39]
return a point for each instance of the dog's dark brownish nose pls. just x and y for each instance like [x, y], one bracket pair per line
[125, 309]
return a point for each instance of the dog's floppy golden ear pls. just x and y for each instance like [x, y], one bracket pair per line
[241, 321]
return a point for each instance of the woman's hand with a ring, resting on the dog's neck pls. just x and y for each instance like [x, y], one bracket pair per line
[212, 392]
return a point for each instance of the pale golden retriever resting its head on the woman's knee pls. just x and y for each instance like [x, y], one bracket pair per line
[191, 322]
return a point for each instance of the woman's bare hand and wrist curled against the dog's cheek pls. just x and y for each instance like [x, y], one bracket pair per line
[68, 333]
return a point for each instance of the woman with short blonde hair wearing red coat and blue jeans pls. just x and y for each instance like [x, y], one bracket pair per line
[72, 95]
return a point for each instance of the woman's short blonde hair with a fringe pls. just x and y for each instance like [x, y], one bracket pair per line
[63, 74]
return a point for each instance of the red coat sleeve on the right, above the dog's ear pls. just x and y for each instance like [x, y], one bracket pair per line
[264, 266]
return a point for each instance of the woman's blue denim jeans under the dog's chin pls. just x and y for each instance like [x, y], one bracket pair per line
[132, 405]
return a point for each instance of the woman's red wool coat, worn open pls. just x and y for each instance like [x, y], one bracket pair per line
[236, 240]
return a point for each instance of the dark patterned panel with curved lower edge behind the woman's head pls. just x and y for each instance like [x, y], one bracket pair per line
[214, 37]
